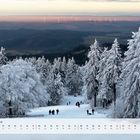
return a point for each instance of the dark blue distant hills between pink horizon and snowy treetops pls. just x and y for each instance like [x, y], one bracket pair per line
[70, 39]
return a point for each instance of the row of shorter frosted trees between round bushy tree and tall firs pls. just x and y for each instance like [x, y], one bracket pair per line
[60, 77]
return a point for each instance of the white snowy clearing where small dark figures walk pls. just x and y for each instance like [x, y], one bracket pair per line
[68, 111]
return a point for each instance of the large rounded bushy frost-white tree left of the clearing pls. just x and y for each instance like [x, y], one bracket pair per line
[20, 88]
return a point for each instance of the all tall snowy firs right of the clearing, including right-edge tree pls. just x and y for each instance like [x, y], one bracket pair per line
[110, 79]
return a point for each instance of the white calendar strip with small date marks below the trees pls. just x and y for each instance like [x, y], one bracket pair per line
[69, 126]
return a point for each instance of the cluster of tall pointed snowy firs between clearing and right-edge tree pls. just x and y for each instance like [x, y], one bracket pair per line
[102, 73]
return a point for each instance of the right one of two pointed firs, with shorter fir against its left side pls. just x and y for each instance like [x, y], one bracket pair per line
[109, 72]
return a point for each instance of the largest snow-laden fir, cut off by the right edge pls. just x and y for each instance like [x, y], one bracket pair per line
[129, 100]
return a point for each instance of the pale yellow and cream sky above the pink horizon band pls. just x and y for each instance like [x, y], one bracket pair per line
[70, 7]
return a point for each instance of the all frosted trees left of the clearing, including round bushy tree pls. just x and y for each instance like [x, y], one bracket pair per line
[32, 82]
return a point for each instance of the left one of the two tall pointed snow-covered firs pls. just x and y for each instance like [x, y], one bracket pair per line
[91, 71]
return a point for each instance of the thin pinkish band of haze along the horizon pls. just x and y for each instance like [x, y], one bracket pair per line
[57, 19]
